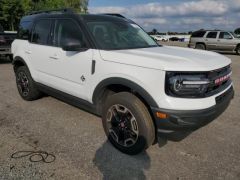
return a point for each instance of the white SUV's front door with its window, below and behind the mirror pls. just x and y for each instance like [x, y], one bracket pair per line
[67, 71]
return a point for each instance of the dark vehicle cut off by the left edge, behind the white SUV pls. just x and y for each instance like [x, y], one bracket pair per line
[6, 39]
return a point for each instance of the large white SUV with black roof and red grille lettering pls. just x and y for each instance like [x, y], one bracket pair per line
[109, 66]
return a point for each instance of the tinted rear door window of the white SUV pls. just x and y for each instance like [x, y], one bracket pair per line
[41, 31]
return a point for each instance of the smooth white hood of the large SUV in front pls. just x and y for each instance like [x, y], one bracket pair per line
[168, 58]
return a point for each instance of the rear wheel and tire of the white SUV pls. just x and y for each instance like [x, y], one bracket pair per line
[25, 84]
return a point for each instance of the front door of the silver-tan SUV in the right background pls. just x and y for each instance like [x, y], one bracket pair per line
[225, 42]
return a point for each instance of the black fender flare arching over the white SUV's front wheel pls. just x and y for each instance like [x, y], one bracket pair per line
[99, 90]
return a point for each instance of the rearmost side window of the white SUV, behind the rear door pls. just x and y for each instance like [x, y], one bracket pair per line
[24, 30]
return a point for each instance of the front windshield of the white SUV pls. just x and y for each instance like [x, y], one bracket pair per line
[119, 35]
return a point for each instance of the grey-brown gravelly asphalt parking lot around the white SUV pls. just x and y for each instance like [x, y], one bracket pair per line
[77, 140]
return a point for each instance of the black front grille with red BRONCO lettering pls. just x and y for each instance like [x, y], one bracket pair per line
[214, 87]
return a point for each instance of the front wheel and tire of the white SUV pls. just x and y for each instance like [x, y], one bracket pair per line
[127, 123]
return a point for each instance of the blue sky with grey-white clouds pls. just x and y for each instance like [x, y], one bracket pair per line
[174, 15]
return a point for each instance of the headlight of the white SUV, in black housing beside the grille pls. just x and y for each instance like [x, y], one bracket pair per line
[186, 85]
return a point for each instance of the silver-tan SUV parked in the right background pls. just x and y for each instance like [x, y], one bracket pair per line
[215, 40]
